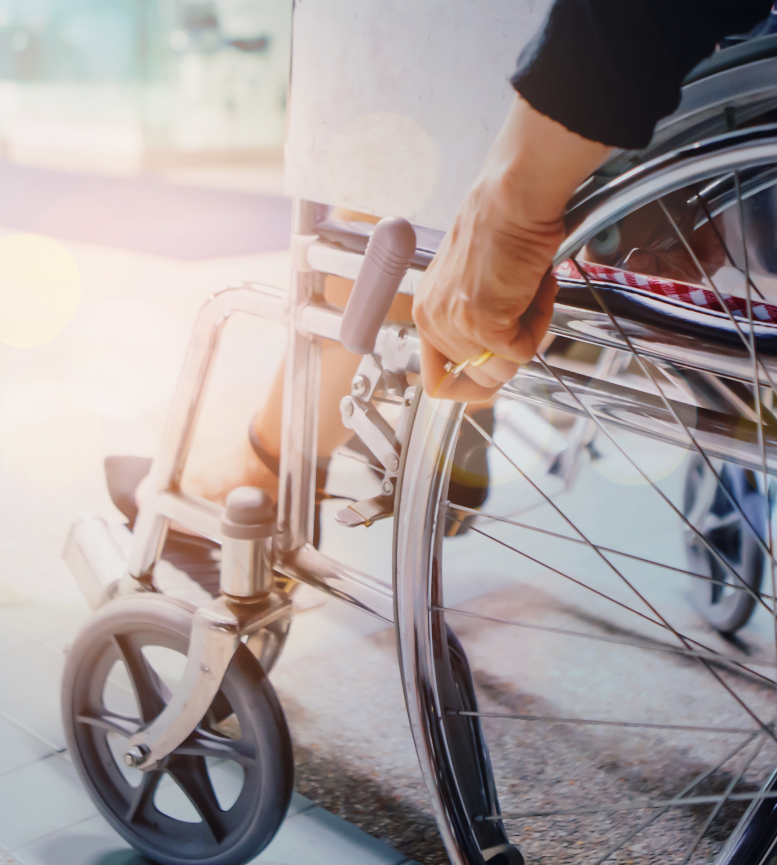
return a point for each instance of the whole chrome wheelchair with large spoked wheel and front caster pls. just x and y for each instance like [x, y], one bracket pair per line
[564, 697]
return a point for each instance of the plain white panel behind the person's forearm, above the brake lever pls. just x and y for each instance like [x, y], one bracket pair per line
[394, 105]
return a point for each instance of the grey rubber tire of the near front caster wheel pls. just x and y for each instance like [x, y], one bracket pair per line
[250, 693]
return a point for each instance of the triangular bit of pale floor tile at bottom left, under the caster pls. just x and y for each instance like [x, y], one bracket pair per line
[90, 842]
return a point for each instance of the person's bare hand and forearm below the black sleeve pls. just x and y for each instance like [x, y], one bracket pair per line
[489, 287]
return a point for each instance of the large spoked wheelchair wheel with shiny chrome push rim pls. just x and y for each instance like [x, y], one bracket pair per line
[566, 698]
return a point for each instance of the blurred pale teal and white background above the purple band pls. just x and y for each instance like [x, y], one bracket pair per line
[132, 85]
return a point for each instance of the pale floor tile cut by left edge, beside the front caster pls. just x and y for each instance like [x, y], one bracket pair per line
[39, 799]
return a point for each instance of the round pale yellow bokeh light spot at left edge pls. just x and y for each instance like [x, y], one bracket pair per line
[40, 287]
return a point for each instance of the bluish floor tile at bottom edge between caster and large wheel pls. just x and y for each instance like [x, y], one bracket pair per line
[317, 837]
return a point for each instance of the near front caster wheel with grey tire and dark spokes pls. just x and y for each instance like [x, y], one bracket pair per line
[220, 797]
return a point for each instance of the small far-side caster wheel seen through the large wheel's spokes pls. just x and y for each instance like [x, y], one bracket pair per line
[723, 599]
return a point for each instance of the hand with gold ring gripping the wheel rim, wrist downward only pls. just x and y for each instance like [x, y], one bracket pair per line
[488, 288]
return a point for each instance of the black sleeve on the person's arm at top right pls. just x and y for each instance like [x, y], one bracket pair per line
[610, 69]
